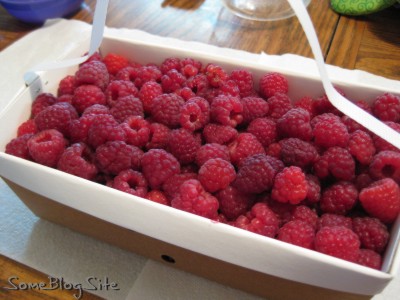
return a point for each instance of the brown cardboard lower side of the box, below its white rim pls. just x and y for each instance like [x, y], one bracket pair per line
[247, 280]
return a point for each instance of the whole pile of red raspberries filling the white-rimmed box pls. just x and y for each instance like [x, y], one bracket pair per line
[217, 144]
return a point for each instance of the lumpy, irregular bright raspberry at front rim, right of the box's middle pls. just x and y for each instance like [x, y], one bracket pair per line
[260, 219]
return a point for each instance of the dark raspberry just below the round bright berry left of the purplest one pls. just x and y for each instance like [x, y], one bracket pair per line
[233, 202]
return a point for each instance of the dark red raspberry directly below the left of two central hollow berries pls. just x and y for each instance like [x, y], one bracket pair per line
[183, 144]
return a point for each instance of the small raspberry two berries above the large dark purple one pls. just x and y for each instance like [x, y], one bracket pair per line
[264, 129]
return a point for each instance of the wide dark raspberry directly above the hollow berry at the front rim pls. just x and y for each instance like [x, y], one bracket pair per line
[116, 156]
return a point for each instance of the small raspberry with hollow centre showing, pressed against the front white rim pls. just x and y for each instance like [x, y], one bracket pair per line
[131, 182]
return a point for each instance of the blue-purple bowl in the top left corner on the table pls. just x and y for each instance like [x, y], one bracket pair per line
[38, 11]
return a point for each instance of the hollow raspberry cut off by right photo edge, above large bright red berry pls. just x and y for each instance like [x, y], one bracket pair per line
[385, 164]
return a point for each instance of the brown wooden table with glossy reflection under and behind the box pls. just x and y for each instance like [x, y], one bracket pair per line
[370, 43]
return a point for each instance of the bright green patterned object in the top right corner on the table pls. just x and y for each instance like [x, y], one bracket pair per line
[360, 7]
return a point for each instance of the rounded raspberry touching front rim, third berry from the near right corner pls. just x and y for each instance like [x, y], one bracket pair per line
[298, 233]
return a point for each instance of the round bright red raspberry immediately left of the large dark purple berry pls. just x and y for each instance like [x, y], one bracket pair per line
[216, 174]
